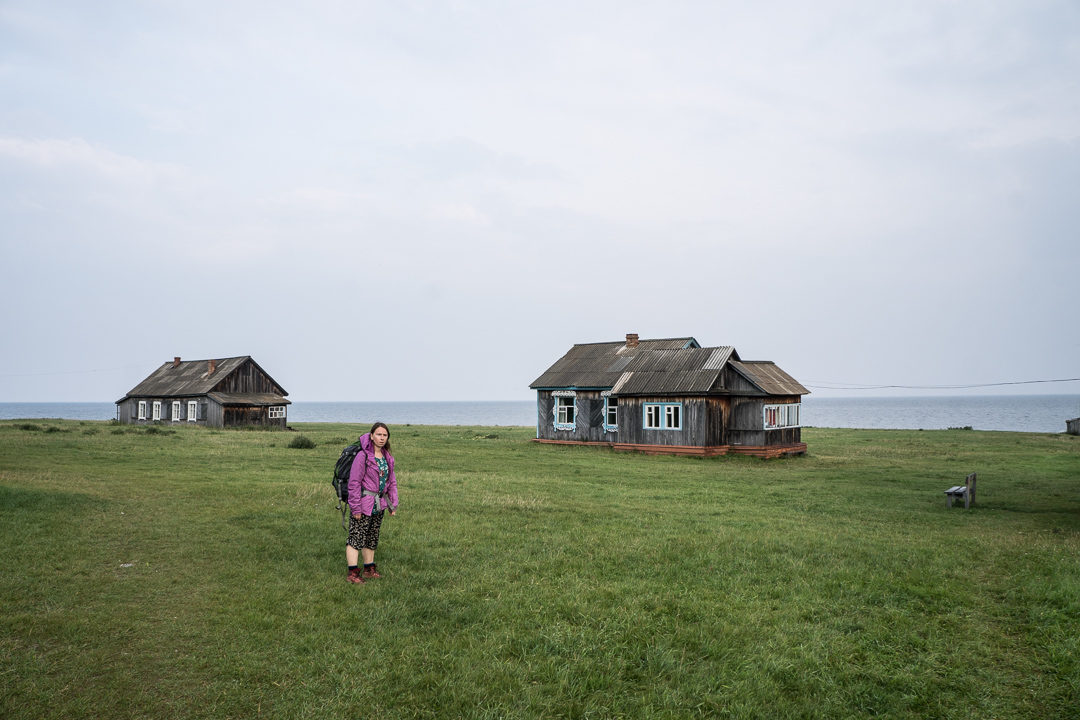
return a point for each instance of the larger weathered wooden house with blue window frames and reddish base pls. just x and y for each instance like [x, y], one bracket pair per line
[670, 397]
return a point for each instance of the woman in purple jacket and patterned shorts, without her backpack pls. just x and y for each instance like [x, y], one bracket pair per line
[373, 490]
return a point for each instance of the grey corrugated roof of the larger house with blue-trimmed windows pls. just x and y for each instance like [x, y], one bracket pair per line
[676, 366]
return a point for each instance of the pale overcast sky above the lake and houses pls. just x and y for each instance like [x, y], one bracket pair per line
[408, 201]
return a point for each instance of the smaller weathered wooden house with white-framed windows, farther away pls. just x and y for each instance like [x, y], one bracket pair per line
[221, 393]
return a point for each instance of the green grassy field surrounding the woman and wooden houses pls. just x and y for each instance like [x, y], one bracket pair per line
[200, 574]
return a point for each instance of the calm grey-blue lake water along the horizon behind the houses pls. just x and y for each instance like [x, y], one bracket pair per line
[1037, 414]
